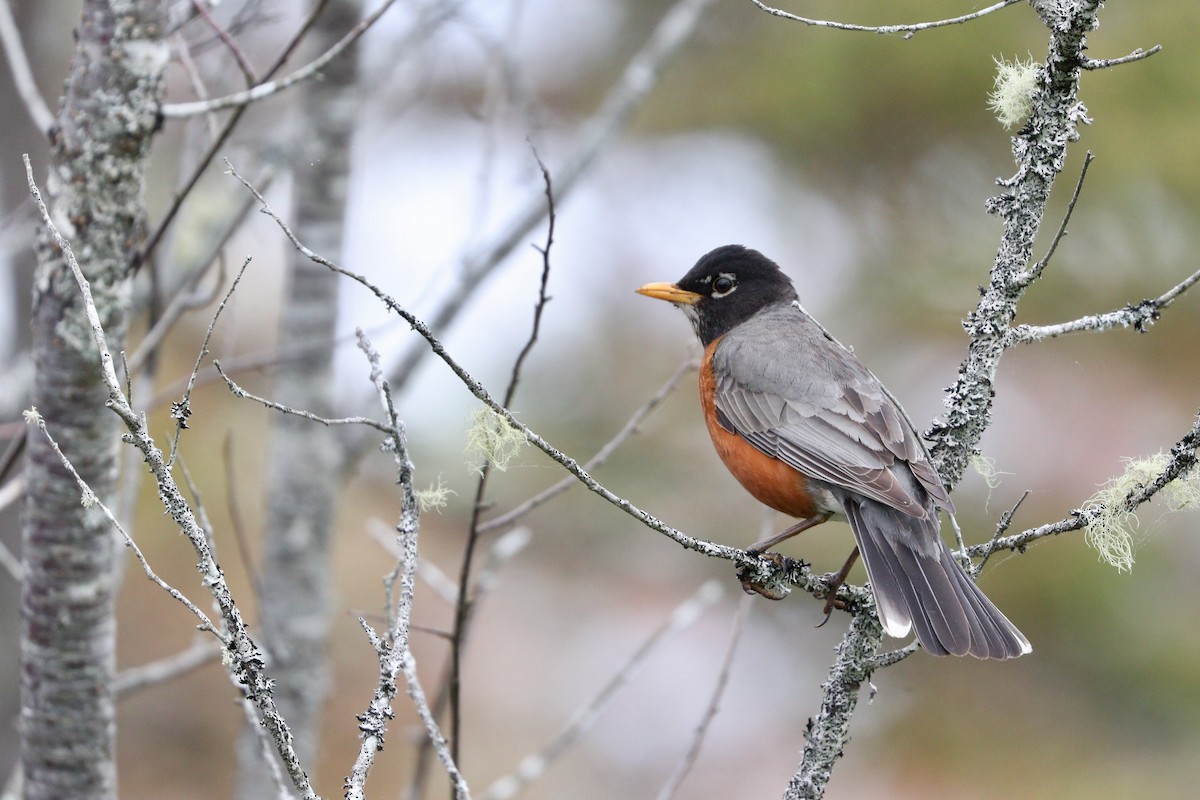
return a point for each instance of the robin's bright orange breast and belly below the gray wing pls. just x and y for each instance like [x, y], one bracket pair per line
[770, 480]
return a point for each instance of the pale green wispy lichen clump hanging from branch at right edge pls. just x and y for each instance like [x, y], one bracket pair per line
[1112, 534]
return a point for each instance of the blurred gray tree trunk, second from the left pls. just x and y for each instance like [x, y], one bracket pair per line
[295, 576]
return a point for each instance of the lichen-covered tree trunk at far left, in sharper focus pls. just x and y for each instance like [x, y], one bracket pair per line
[100, 145]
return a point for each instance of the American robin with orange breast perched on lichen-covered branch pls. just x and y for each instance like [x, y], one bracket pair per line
[811, 432]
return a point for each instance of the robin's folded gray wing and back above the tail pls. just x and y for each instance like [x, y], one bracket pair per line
[793, 392]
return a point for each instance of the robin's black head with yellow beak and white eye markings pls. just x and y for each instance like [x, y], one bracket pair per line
[725, 288]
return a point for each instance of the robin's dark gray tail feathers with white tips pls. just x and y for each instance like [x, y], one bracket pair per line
[920, 586]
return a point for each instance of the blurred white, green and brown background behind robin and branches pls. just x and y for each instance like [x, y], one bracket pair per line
[862, 165]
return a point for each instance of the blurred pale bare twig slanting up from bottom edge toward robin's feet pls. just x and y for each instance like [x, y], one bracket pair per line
[536, 765]
